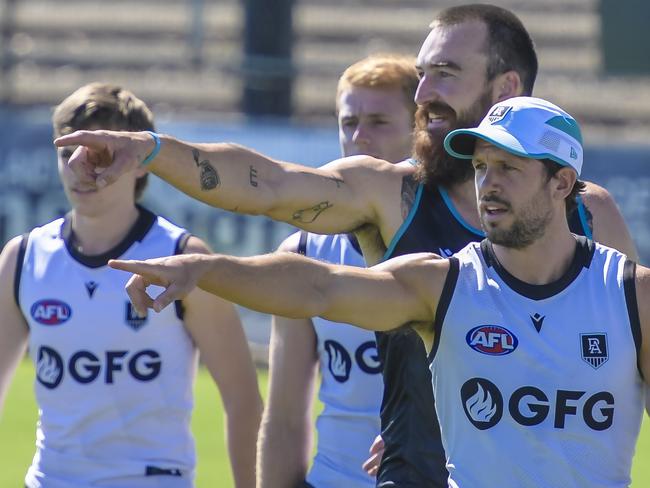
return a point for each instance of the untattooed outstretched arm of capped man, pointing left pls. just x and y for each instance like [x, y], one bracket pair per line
[402, 290]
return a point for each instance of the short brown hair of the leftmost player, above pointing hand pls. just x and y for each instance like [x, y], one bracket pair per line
[105, 106]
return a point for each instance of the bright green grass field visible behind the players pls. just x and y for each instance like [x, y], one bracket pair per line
[18, 423]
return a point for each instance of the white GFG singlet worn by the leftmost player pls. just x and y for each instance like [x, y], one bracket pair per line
[114, 390]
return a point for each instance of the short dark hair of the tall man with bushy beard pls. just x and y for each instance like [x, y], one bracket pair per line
[509, 45]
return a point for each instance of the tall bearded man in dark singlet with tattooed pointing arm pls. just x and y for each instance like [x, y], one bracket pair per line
[474, 56]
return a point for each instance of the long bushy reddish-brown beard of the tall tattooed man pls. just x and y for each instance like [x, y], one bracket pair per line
[436, 166]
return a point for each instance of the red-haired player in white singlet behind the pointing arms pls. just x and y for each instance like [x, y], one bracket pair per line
[375, 109]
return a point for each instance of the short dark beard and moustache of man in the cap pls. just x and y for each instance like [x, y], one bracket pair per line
[529, 225]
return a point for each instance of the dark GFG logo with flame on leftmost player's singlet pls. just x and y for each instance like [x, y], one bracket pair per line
[85, 367]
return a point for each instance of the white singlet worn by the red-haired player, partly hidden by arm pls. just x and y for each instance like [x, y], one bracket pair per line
[351, 386]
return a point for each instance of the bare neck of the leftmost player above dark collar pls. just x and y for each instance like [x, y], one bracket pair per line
[97, 234]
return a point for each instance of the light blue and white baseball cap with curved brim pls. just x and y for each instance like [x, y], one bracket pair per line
[525, 126]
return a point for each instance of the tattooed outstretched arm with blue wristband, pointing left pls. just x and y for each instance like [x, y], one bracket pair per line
[338, 197]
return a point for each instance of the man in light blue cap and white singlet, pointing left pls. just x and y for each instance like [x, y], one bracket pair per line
[539, 340]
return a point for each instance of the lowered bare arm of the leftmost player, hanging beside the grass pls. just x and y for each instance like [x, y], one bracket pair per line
[217, 332]
